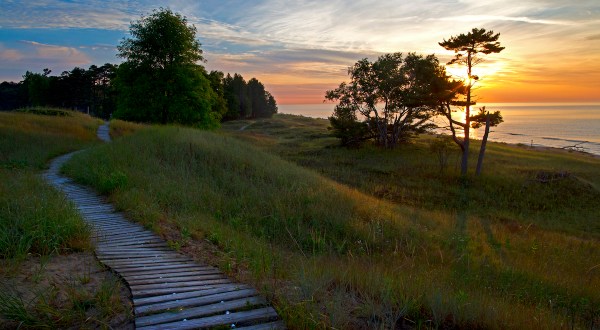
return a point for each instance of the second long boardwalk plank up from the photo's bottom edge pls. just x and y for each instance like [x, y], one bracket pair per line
[197, 312]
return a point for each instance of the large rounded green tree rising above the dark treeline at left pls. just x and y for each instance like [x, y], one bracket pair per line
[160, 80]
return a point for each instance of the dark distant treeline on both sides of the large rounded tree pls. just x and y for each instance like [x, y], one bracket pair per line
[93, 91]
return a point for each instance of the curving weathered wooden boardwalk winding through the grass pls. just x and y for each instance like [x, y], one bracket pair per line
[169, 290]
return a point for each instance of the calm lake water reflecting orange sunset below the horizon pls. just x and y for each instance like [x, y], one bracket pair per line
[556, 125]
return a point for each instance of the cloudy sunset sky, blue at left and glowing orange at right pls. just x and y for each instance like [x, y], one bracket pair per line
[300, 49]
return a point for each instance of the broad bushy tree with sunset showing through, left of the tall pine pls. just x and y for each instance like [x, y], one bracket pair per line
[394, 94]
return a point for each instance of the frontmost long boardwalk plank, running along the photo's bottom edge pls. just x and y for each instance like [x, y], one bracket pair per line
[255, 315]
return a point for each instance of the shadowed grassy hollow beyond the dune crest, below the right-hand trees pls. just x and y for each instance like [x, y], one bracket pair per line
[508, 191]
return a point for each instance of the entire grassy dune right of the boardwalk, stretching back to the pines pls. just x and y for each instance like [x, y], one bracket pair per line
[333, 255]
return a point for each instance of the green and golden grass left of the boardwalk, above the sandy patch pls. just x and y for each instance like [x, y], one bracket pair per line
[35, 218]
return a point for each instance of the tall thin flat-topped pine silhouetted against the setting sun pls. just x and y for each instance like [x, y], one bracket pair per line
[466, 48]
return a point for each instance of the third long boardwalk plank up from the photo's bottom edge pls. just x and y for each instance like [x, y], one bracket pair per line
[194, 302]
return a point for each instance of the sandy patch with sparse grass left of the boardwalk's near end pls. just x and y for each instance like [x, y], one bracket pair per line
[62, 279]
